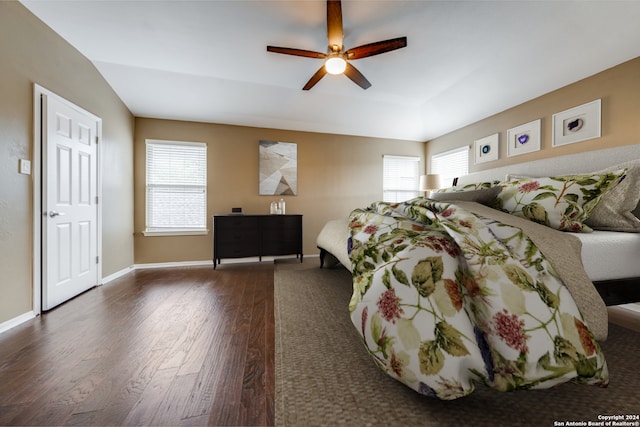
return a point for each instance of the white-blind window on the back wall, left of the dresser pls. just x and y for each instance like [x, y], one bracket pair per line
[176, 187]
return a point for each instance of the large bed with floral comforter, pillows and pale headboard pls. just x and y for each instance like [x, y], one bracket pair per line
[441, 316]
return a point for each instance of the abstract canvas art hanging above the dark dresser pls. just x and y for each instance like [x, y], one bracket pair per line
[278, 168]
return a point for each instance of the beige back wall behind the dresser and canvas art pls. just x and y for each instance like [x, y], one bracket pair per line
[336, 174]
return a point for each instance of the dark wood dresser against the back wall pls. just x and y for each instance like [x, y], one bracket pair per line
[239, 236]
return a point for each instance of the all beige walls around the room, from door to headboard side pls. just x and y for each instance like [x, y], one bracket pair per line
[336, 173]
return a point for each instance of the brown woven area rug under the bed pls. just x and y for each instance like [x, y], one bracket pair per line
[324, 376]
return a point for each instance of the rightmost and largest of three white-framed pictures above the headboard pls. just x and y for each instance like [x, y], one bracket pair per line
[577, 124]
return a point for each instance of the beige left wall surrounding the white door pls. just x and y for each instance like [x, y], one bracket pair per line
[31, 53]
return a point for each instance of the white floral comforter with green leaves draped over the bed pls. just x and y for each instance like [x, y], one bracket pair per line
[445, 299]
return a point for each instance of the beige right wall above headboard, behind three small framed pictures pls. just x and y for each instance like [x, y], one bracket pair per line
[619, 89]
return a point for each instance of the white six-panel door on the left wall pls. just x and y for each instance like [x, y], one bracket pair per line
[69, 201]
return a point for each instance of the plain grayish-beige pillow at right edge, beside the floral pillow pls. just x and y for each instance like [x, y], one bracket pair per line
[615, 211]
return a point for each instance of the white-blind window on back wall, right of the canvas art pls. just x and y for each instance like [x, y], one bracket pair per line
[400, 178]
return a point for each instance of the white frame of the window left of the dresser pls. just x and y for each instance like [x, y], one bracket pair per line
[180, 230]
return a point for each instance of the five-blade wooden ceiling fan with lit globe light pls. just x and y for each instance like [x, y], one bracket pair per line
[337, 59]
